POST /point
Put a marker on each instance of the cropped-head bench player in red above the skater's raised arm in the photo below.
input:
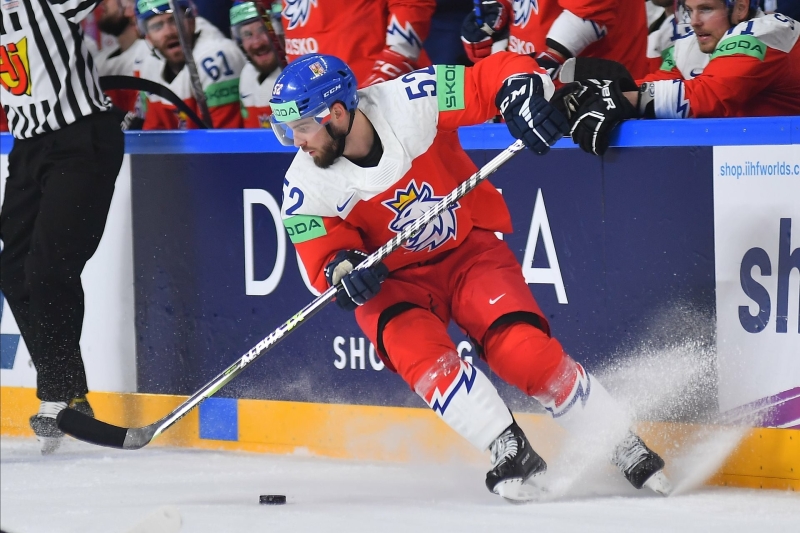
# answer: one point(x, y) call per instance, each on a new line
point(555, 30)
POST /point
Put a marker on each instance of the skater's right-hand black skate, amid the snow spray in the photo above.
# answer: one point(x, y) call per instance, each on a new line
point(641, 466)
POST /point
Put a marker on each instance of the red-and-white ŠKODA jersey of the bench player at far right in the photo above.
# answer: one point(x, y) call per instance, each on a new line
point(754, 71)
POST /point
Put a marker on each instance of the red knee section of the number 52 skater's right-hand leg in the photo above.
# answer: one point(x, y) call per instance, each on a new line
point(523, 355)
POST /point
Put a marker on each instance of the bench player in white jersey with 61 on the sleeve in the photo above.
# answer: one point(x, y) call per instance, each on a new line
point(219, 62)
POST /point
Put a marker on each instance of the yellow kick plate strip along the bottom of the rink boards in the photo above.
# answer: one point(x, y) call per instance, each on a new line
point(764, 458)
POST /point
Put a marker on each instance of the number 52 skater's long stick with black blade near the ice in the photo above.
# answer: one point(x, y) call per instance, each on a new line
point(94, 431)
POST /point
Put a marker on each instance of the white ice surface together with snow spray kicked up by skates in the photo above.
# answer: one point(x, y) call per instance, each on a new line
point(664, 376)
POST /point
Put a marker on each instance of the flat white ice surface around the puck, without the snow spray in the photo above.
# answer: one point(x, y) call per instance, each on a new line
point(87, 489)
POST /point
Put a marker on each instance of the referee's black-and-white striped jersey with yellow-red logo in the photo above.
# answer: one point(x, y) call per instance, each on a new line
point(47, 76)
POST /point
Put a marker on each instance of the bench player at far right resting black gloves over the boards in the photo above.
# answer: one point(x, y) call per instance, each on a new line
point(751, 72)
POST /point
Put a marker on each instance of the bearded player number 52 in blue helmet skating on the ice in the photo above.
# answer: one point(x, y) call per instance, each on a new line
point(372, 162)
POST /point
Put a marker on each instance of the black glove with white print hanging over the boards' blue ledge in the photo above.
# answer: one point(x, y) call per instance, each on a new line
point(594, 108)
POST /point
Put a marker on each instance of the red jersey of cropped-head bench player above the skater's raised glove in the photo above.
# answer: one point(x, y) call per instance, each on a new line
point(621, 23)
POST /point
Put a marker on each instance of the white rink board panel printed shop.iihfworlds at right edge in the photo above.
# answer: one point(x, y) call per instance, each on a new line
point(754, 188)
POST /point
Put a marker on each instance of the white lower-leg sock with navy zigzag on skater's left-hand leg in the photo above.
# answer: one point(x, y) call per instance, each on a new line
point(465, 399)
